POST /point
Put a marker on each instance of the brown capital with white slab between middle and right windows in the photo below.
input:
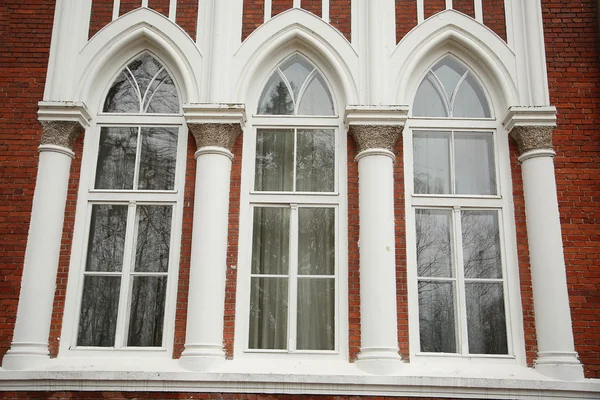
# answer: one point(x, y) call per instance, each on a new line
point(376, 127)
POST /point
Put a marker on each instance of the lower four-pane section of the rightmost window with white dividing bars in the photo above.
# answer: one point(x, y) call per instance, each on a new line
point(478, 313)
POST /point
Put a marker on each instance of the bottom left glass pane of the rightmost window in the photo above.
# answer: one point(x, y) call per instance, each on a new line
point(436, 317)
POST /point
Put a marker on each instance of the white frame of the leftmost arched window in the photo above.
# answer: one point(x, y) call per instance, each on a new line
point(89, 196)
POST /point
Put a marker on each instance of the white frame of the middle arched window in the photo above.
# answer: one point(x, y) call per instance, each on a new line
point(250, 198)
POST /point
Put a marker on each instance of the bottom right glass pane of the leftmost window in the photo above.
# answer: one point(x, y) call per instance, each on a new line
point(147, 315)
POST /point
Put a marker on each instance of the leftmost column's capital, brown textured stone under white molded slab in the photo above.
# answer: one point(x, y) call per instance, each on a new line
point(62, 122)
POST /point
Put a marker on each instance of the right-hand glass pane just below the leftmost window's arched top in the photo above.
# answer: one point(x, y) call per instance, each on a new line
point(158, 158)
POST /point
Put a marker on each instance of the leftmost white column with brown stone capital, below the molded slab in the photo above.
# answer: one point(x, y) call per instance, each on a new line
point(29, 345)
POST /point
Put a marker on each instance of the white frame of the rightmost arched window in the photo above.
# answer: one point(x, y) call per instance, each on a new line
point(502, 202)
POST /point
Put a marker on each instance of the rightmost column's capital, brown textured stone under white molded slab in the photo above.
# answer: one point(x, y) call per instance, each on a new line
point(531, 127)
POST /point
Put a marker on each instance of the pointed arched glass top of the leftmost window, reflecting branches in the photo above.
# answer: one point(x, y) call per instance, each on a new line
point(144, 86)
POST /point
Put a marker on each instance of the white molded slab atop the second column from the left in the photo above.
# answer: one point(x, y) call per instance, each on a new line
point(214, 113)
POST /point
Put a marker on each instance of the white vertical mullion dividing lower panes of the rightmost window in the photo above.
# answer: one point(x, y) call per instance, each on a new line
point(460, 283)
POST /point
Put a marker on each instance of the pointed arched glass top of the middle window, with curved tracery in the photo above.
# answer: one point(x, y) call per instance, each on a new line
point(296, 88)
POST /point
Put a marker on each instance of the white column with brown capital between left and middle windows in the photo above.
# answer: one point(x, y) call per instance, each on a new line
point(206, 299)
